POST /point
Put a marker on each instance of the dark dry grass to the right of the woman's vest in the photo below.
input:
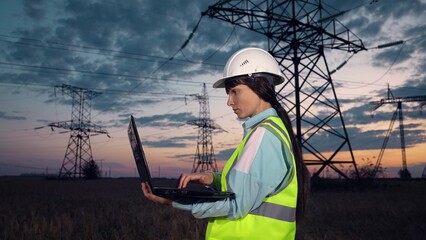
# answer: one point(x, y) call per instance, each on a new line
point(389, 209)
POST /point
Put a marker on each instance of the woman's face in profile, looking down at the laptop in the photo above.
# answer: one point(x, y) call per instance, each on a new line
point(244, 102)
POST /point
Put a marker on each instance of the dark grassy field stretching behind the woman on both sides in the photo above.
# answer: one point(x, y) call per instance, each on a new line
point(34, 208)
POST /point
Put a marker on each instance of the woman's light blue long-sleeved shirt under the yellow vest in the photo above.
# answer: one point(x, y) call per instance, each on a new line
point(260, 171)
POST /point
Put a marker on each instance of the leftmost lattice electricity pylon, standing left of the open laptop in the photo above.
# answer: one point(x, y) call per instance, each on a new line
point(78, 150)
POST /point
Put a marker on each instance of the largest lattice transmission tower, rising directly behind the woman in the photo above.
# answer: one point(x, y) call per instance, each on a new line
point(298, 32)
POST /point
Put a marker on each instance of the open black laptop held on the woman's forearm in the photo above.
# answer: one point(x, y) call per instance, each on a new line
point(191, 193)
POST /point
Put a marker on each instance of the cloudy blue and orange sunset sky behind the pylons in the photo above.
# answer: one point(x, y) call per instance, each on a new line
point(145, 59)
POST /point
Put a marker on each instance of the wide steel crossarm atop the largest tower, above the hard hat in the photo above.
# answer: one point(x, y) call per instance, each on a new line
point(281, 20)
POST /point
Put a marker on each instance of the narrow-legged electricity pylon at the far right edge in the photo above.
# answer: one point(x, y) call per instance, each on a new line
point(404, 173)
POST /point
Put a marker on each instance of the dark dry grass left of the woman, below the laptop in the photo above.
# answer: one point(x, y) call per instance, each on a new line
point(33, 208)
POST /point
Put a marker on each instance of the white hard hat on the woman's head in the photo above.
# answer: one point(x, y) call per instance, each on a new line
point(248, 61)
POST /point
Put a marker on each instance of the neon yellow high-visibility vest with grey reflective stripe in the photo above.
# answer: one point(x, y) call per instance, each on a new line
point(275, 218)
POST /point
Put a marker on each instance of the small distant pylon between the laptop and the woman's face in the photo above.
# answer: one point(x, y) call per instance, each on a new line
point(204, 159)
